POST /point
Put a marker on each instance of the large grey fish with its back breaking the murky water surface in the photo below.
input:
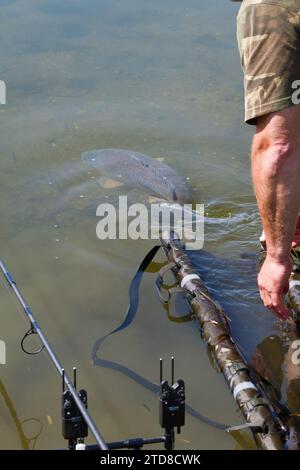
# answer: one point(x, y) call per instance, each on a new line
point(140, 171)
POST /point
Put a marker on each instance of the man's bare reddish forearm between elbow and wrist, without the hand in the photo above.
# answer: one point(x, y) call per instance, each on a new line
point(276, 178)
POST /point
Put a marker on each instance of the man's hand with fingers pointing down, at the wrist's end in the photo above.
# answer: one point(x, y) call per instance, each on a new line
point(273, 283)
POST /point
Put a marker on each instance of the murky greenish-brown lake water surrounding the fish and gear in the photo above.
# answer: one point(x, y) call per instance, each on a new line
point(162, 78)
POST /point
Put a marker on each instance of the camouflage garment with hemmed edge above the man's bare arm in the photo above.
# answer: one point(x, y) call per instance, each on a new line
point(268, 34)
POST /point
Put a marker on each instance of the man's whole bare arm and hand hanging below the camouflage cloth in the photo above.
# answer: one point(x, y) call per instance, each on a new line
point(276, 178)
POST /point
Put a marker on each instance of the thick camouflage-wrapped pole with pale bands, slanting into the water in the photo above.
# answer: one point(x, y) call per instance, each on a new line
point(215, 330)
